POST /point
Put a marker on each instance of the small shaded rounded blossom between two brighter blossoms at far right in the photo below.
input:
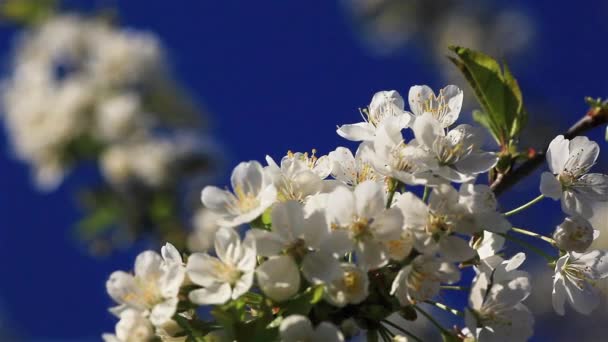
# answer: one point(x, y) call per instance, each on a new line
point(575, 234)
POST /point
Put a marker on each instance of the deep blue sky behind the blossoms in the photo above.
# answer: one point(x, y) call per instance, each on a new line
point(276, 75)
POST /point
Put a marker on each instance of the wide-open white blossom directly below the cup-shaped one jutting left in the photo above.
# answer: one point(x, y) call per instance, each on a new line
point(229, 275)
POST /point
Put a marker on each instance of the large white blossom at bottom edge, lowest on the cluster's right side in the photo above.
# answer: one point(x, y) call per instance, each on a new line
point(496, 312)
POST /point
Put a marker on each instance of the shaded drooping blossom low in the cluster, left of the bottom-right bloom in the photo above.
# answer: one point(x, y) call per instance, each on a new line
point(421, 279)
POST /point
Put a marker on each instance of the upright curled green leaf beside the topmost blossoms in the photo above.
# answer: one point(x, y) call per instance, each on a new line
point(497, 91)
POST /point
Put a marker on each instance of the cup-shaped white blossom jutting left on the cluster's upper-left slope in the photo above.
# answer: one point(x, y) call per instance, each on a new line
point(253, 194)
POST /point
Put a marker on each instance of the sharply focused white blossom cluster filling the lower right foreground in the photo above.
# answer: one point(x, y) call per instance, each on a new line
point(377, 232)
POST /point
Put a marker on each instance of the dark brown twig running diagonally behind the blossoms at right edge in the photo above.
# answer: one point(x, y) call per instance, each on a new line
point(595, 117)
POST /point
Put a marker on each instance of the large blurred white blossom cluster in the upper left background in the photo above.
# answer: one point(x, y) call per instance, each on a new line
point(80, 88)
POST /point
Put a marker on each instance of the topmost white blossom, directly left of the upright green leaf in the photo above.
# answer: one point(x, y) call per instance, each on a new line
point(445, 107)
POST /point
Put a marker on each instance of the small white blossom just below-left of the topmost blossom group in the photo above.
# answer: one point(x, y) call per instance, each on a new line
point(351, 170)
